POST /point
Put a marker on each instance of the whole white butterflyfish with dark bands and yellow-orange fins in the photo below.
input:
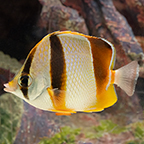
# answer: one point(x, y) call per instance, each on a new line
point(69, 72)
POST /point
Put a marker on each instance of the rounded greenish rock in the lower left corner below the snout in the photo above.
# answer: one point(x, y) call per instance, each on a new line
point(11, 109)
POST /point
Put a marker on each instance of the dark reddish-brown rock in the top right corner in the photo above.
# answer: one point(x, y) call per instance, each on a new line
point(133, 12)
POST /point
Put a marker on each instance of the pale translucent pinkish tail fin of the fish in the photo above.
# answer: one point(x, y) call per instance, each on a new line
point(126, 77)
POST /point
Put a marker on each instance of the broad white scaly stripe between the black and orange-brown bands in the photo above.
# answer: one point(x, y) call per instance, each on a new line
point(79, 94)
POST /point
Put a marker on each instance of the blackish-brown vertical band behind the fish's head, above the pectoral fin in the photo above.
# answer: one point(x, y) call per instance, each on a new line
point(57, 64)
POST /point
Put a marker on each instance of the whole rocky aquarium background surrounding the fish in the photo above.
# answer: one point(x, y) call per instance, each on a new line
point(23, 23)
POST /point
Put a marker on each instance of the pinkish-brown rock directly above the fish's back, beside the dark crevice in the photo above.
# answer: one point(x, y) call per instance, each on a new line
point(55, 16)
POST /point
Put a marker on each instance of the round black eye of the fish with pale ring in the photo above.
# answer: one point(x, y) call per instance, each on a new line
point(25, 80)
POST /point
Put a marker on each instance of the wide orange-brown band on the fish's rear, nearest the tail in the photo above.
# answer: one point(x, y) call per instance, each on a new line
point(101, 54)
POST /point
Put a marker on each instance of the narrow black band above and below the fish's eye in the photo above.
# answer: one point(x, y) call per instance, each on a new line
point(26, 71)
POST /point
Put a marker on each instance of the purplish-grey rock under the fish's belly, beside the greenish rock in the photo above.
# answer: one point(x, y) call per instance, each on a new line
point(35, 124)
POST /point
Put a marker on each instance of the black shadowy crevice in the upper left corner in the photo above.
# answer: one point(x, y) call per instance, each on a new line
point(18, 21)
